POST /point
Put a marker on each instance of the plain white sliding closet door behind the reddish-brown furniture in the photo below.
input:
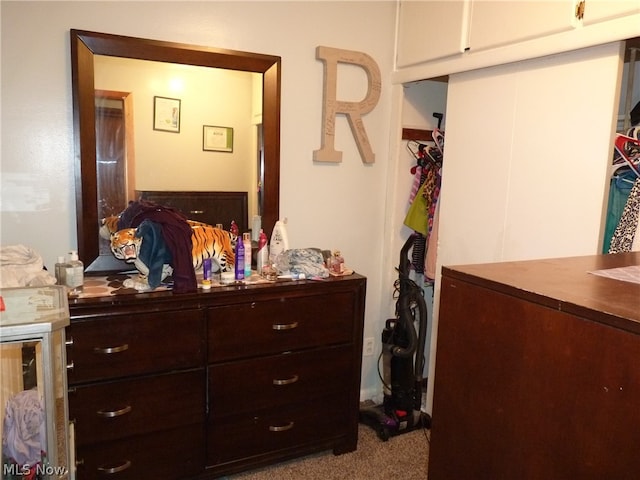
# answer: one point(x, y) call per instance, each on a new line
point(526, 162)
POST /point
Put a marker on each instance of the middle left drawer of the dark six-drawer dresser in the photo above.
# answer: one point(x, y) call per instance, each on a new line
point(113, 410)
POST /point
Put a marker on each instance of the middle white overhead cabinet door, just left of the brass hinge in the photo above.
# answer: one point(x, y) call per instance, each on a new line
point(497, 23)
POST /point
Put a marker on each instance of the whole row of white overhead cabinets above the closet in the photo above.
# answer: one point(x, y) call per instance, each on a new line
point(433, 33)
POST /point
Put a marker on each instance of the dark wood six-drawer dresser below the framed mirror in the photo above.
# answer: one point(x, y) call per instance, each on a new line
point(202, 385)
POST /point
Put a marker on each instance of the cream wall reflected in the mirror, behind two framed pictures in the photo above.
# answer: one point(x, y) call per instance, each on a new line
point(208, 96)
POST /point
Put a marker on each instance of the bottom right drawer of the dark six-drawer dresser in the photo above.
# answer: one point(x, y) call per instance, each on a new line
point(248, 435)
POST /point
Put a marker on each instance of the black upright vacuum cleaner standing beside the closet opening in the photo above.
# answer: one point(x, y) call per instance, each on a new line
point(403, 342)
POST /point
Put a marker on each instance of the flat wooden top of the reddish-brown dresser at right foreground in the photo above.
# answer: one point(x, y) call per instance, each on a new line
point(564, 284)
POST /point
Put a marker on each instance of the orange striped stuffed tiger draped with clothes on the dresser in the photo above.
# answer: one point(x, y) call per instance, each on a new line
point(153, 264)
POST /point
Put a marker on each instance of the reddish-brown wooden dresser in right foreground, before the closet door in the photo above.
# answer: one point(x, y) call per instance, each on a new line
point(537, 372)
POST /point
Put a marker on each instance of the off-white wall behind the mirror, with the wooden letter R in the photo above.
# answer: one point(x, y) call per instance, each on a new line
point(335, 206)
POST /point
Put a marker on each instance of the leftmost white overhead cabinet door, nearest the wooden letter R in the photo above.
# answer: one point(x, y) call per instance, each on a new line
point(430, 30)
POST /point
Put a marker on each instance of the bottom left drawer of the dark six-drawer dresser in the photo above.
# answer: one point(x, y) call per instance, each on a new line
point(177, 453)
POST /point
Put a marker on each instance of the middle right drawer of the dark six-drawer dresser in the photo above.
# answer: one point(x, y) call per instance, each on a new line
point(278, 380)
